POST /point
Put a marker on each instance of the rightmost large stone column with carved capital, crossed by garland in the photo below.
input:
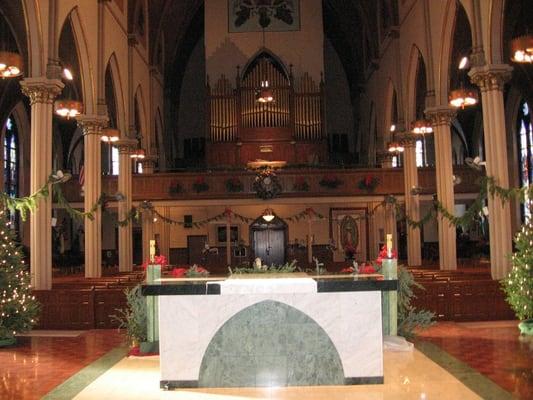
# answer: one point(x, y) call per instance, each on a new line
point(491, 80)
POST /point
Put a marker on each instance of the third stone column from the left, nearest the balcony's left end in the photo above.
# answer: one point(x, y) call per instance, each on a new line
point(125, 248)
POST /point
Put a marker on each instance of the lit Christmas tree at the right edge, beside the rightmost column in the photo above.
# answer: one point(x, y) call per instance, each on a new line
point(518, 285)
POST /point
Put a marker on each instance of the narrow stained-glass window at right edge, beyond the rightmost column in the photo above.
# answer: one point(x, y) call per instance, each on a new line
point(525, 150)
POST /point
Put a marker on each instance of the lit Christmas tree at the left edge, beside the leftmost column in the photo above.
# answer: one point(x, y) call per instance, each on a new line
point(18, 307)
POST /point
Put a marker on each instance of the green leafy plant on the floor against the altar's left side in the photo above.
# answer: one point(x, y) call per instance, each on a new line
point(134, 317)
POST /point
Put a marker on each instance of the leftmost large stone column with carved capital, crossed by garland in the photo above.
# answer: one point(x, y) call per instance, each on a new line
point(42, 92)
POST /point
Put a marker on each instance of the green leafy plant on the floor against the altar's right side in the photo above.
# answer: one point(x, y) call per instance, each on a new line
point(409, 318)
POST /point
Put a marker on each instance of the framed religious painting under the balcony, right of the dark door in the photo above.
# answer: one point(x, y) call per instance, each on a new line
point(349, 233)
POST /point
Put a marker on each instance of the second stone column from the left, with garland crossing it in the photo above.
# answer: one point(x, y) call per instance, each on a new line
point(92, 126)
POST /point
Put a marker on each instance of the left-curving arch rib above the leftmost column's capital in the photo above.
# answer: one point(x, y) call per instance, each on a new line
point(36, 57)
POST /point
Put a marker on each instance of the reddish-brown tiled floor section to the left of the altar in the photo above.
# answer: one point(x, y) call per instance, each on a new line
point(36, 365)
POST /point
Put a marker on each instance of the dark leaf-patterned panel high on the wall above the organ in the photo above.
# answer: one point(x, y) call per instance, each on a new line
point(267, 15)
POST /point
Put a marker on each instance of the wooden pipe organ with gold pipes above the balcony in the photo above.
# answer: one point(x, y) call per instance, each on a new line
point(290, 128)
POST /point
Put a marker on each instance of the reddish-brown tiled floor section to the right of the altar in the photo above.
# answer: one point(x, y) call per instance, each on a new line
point(493, 348)
